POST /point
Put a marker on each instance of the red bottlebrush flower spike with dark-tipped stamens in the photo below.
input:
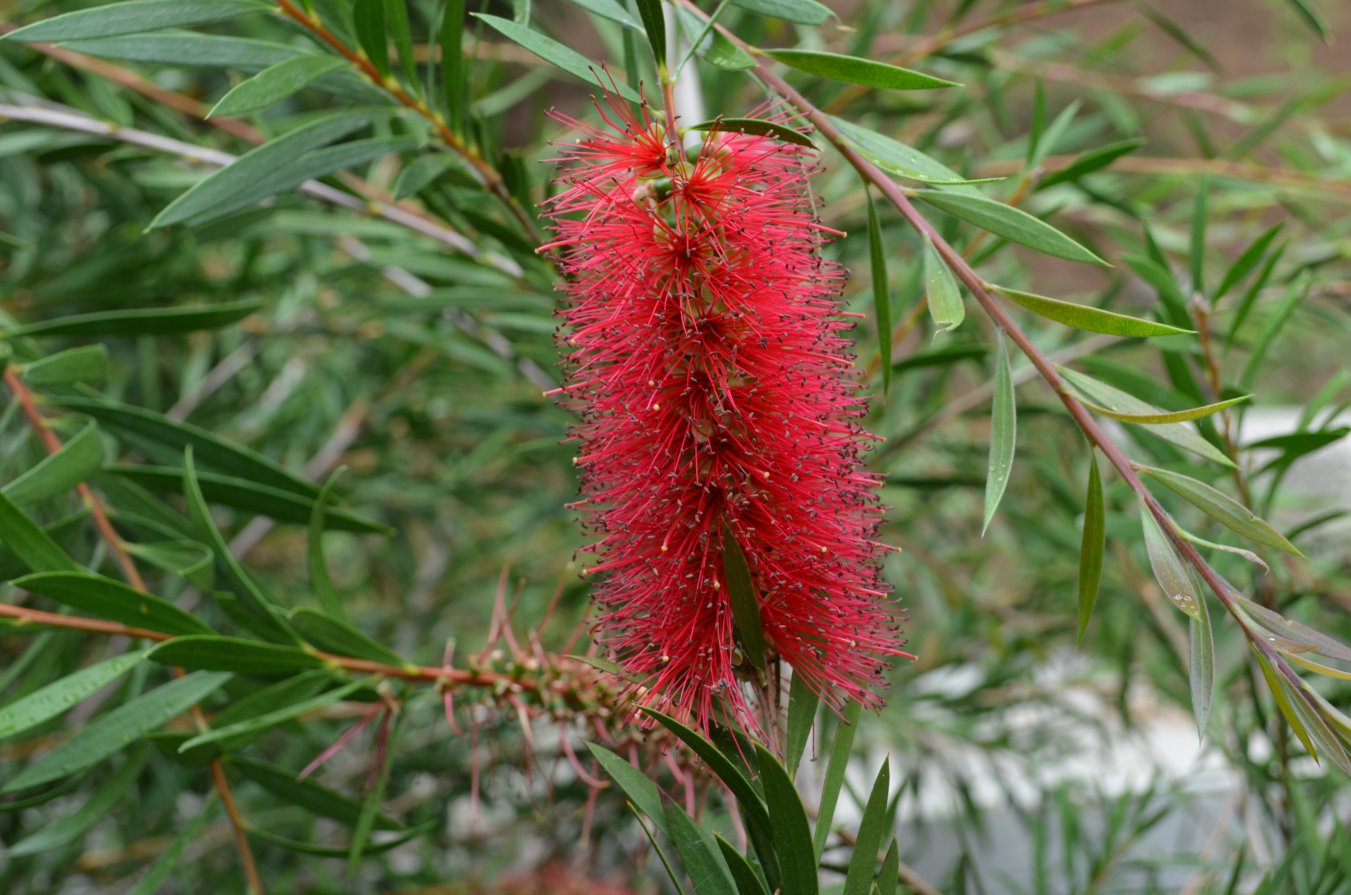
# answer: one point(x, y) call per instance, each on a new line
point(710, 366)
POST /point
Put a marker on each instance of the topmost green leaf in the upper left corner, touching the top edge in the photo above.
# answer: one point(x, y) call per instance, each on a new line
point(136, 17)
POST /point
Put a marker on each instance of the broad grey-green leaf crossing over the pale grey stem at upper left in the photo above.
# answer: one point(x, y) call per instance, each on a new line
point(276, 167)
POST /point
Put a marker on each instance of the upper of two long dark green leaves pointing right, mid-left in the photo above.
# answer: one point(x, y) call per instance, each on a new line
point(149, 428)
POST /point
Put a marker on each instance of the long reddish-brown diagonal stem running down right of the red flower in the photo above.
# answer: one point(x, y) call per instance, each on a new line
point(979, 289)
